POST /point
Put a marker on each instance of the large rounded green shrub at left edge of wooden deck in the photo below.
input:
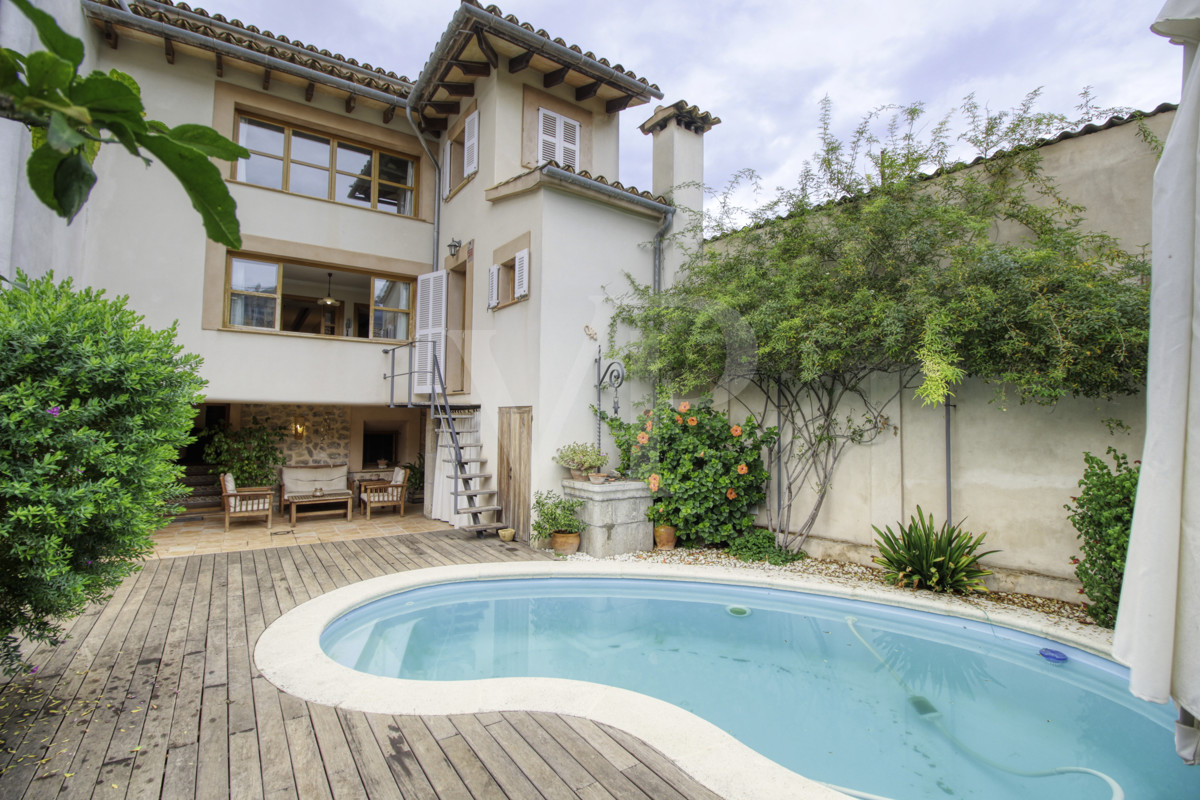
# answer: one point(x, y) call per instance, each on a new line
point(94, 410)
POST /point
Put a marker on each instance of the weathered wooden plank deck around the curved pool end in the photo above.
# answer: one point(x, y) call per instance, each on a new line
point(155, 695)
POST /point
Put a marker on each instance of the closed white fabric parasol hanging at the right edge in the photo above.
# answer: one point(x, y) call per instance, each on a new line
point(1159, 624)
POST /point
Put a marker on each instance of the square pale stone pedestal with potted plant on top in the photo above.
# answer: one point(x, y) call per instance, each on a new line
point(615, 515)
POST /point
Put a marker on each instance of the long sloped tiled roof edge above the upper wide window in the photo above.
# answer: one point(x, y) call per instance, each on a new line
point(293, 51)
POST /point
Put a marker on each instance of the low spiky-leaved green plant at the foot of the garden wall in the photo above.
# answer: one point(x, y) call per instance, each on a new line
point(925, 557)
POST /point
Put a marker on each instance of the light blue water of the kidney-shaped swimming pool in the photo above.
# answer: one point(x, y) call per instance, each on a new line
point(885, 701)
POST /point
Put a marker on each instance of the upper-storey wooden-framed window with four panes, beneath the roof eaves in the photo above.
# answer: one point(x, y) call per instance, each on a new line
point(322, 166)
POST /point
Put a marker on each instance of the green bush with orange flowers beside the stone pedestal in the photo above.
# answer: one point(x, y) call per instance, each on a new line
point(706, 474)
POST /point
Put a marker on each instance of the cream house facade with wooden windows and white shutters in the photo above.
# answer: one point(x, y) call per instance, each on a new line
point(463, 215)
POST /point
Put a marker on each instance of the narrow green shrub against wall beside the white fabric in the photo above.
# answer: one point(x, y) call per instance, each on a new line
point(1103, 514)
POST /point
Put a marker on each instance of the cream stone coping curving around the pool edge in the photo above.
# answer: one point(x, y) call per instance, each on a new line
point(289, 654)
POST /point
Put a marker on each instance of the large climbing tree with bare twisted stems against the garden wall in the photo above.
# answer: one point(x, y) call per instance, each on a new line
point(872, 279)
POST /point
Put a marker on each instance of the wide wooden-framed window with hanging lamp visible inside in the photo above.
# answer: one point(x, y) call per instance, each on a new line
point(308, 299)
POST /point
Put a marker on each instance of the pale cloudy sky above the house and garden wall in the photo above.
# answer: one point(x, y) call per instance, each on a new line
point(764, 65)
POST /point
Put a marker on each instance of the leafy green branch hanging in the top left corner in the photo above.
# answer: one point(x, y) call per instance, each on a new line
point(73, 116)
